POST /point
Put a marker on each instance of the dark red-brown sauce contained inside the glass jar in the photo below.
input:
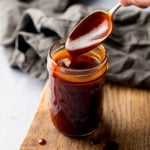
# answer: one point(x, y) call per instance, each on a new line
point(76, 107)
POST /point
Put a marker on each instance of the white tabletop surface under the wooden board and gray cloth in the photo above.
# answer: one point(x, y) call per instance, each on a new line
point(19, 96)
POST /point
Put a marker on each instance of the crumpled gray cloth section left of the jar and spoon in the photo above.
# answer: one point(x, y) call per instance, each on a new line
point(30, 27)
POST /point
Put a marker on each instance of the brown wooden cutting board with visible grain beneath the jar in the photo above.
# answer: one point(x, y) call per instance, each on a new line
point(126, 121)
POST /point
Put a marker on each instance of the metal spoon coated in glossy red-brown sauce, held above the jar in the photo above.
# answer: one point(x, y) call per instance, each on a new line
point(91, 31)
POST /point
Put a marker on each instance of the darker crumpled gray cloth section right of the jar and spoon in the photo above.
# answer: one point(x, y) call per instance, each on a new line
point(129, 49)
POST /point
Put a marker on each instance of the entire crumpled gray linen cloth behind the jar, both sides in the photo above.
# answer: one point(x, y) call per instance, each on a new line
point(31, 26)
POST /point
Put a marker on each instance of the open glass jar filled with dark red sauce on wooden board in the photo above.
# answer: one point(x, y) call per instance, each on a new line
point(76, 88)
